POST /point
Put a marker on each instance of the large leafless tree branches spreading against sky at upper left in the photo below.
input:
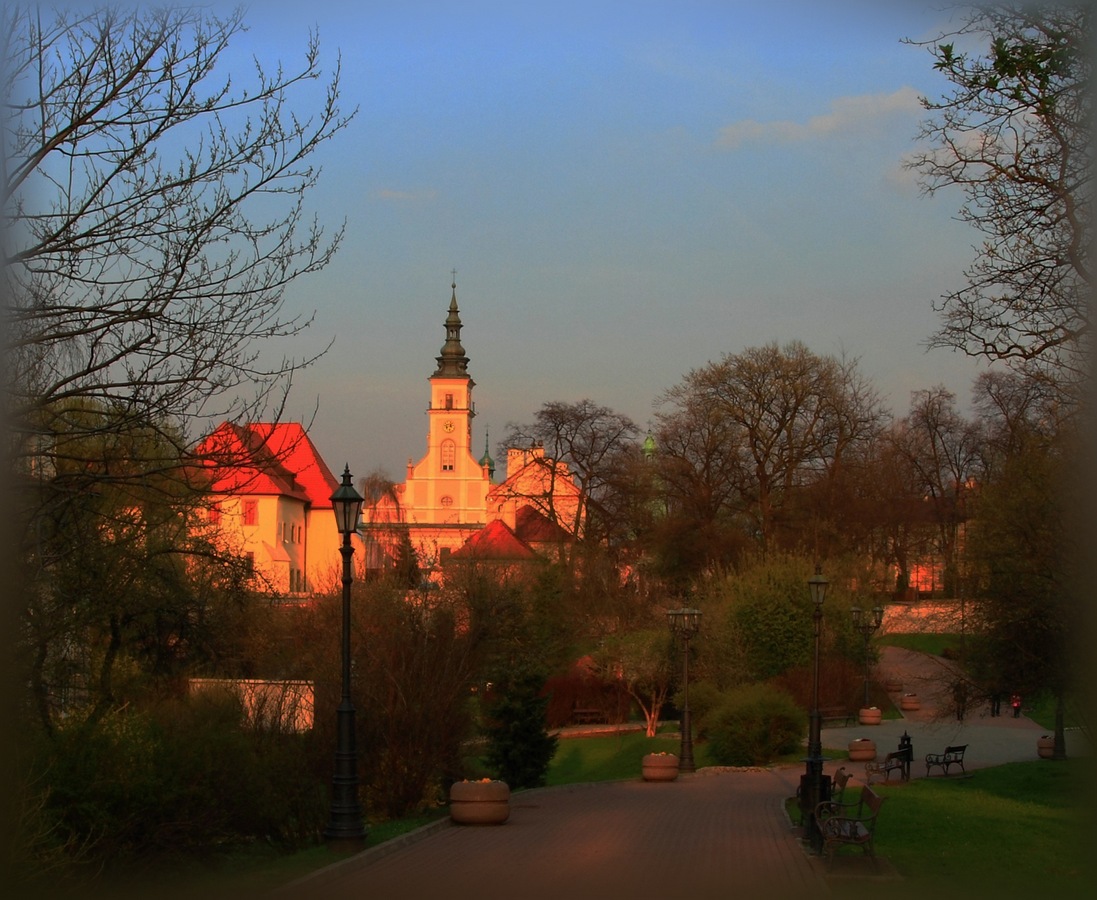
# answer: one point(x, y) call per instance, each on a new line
point(155, 213)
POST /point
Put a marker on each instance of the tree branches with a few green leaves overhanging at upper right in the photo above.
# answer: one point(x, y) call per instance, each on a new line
point(1015, 136)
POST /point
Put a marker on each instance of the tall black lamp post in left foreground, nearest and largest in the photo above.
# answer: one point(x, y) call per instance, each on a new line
point(346, 827)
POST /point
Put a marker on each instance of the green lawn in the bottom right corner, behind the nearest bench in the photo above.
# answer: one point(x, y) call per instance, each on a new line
point(1019, 830)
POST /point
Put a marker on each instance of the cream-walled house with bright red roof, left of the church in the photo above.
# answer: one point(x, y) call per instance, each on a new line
point(272, 502)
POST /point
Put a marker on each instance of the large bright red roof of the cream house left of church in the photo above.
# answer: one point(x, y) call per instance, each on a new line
point(267, 458)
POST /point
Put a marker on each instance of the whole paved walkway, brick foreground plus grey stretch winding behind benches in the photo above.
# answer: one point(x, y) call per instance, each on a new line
point(693, 838)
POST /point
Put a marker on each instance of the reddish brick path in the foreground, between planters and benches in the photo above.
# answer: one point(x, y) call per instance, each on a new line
point(694, 838)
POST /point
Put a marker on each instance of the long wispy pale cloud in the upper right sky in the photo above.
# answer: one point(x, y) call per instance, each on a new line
point(849, 115)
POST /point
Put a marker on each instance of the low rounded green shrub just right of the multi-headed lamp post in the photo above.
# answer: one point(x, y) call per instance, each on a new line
point(754, 725)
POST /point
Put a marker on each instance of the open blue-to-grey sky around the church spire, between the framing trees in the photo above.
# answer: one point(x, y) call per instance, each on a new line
point(627, 192)
